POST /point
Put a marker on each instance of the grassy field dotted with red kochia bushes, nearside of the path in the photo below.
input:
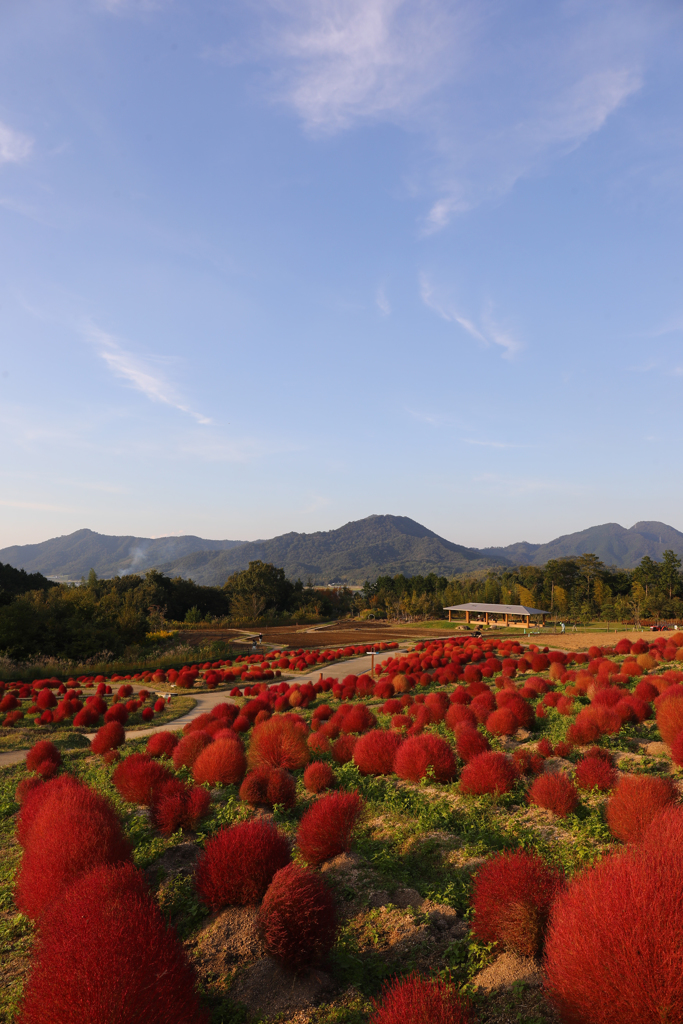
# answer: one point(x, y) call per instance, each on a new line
point(442, 817)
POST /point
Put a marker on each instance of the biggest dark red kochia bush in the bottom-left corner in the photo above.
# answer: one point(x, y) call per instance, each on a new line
point(109, 916)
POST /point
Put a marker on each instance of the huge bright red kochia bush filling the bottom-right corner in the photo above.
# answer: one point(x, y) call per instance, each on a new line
point(614, 950)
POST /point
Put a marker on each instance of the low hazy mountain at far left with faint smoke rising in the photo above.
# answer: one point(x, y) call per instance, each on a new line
point(73, 557)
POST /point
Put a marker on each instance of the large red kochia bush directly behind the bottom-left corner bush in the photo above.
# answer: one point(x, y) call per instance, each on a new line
point(74, 831)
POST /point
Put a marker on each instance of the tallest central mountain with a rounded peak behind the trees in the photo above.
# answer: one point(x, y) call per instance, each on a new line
point(380, 545)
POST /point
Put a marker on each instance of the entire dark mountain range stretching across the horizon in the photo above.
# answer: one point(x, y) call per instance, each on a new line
point(379, 545)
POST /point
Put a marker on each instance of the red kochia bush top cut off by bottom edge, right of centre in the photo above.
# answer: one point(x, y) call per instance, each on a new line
point(417, 1001)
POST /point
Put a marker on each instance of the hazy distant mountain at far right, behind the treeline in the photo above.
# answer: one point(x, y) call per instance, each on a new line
point(612, 543)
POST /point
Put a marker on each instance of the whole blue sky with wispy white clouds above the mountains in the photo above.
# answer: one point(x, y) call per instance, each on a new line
point(271, 266)
